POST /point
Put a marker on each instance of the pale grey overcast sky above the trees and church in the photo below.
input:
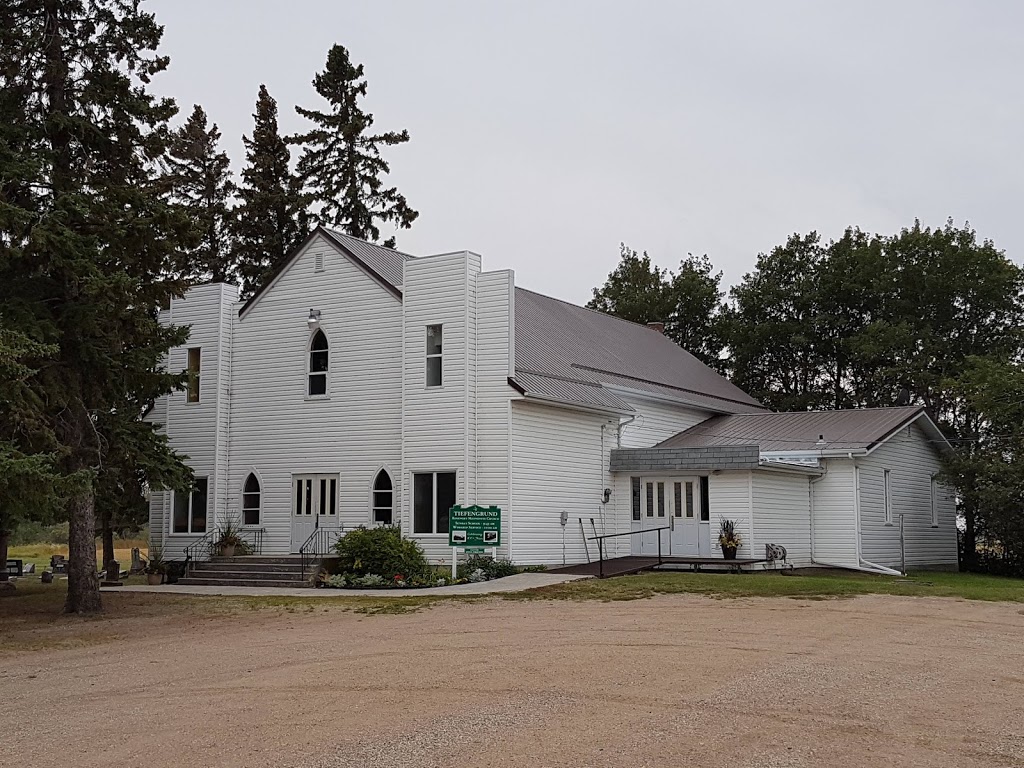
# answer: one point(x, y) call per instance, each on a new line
point(546, 134)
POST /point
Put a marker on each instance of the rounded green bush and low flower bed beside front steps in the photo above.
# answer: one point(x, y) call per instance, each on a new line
point(380, 559)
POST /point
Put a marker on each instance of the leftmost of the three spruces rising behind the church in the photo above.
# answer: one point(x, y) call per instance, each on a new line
point(198, 179)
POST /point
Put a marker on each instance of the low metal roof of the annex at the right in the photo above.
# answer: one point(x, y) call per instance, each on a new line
point(855, 430)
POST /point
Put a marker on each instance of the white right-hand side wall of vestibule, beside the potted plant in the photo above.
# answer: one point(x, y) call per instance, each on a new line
point(783, 515)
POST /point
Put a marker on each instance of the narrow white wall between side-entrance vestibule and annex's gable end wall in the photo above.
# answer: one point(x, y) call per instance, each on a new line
point(834, 524)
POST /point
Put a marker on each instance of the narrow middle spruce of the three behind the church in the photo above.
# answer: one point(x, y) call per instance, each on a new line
point(272, 216)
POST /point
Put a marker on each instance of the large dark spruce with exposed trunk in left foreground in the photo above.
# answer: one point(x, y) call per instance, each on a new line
point(87, 239)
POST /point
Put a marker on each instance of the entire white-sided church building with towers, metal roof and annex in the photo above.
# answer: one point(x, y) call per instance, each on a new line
point(364, 387)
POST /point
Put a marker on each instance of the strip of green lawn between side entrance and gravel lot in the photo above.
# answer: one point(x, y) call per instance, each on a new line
point(810, 584)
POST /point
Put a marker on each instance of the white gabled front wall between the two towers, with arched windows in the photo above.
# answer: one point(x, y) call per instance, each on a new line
point(277, 432)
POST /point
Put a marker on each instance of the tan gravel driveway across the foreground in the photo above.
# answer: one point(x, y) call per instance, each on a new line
point(671, 681)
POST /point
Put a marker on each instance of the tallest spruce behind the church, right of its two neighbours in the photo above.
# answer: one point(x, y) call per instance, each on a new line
point(342, 166)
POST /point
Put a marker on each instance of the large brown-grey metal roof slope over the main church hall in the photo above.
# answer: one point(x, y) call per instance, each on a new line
point(572, 344)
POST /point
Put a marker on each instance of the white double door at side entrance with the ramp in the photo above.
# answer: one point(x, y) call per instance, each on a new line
point(670, 517)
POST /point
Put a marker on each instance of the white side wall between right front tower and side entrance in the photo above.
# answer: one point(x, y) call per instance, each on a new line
point(559, 464)
